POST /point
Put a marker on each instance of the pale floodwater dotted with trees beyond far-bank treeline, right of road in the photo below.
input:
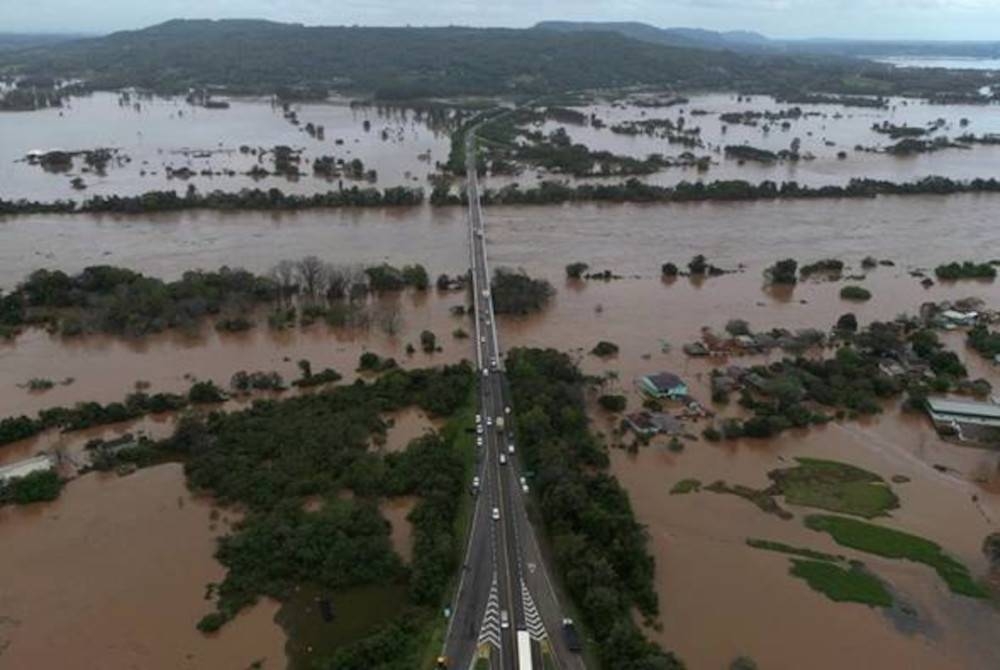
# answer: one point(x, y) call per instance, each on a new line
point(823, 131)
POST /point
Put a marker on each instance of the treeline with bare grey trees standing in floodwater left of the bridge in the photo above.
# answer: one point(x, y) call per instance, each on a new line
point(119, 301)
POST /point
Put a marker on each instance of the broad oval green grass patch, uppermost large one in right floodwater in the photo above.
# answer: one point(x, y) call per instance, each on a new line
point(836, 487)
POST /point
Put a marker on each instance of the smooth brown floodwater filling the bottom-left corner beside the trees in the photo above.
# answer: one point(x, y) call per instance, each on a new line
point(131, 556)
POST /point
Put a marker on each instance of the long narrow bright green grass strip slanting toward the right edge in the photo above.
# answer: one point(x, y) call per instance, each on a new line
point(891, 543)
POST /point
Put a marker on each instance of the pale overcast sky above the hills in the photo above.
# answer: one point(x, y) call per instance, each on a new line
point(908, 19)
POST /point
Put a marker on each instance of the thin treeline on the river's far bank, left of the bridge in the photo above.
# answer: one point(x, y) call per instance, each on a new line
point(243, 200)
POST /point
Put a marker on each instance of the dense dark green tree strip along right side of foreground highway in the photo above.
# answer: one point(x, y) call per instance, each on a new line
point(600, 549)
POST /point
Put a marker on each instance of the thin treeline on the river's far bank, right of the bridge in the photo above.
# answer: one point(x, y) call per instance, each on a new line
point(634, 190)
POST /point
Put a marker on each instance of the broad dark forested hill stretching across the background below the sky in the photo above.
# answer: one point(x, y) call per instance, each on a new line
point(262, 57)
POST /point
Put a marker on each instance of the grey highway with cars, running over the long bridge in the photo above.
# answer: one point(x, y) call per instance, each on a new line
point(505, 590)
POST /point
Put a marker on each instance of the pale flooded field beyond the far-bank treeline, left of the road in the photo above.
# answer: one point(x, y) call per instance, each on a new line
point(164, 131)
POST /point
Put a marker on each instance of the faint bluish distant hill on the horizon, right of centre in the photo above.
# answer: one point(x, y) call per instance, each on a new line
point(681, 37)
